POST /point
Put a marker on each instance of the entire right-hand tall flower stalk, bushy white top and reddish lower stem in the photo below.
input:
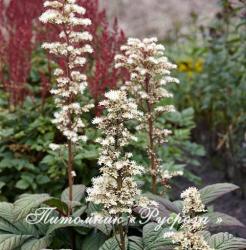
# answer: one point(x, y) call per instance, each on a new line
point(149, 72)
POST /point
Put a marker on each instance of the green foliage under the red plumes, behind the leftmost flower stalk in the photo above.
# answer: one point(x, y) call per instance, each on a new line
point(26, 161)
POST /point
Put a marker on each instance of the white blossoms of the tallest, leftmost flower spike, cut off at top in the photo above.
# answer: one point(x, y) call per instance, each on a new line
point(70, 81)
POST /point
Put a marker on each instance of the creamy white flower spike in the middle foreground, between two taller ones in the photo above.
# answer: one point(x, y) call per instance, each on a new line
point(116, 188)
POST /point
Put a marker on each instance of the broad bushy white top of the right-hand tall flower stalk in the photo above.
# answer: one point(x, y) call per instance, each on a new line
point(149, 70)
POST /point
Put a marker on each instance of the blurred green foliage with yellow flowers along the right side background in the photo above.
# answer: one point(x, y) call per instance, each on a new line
point(211, 65)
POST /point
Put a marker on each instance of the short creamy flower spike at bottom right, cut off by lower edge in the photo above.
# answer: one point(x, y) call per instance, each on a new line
point(190, 236)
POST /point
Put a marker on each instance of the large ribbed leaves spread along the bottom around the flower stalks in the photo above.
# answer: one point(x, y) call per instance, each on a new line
point(15, 232)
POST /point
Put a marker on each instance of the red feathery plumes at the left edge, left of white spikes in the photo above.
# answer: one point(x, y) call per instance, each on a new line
point(17, 20)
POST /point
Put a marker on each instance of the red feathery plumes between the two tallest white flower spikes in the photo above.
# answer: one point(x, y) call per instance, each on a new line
point(106, 43)
